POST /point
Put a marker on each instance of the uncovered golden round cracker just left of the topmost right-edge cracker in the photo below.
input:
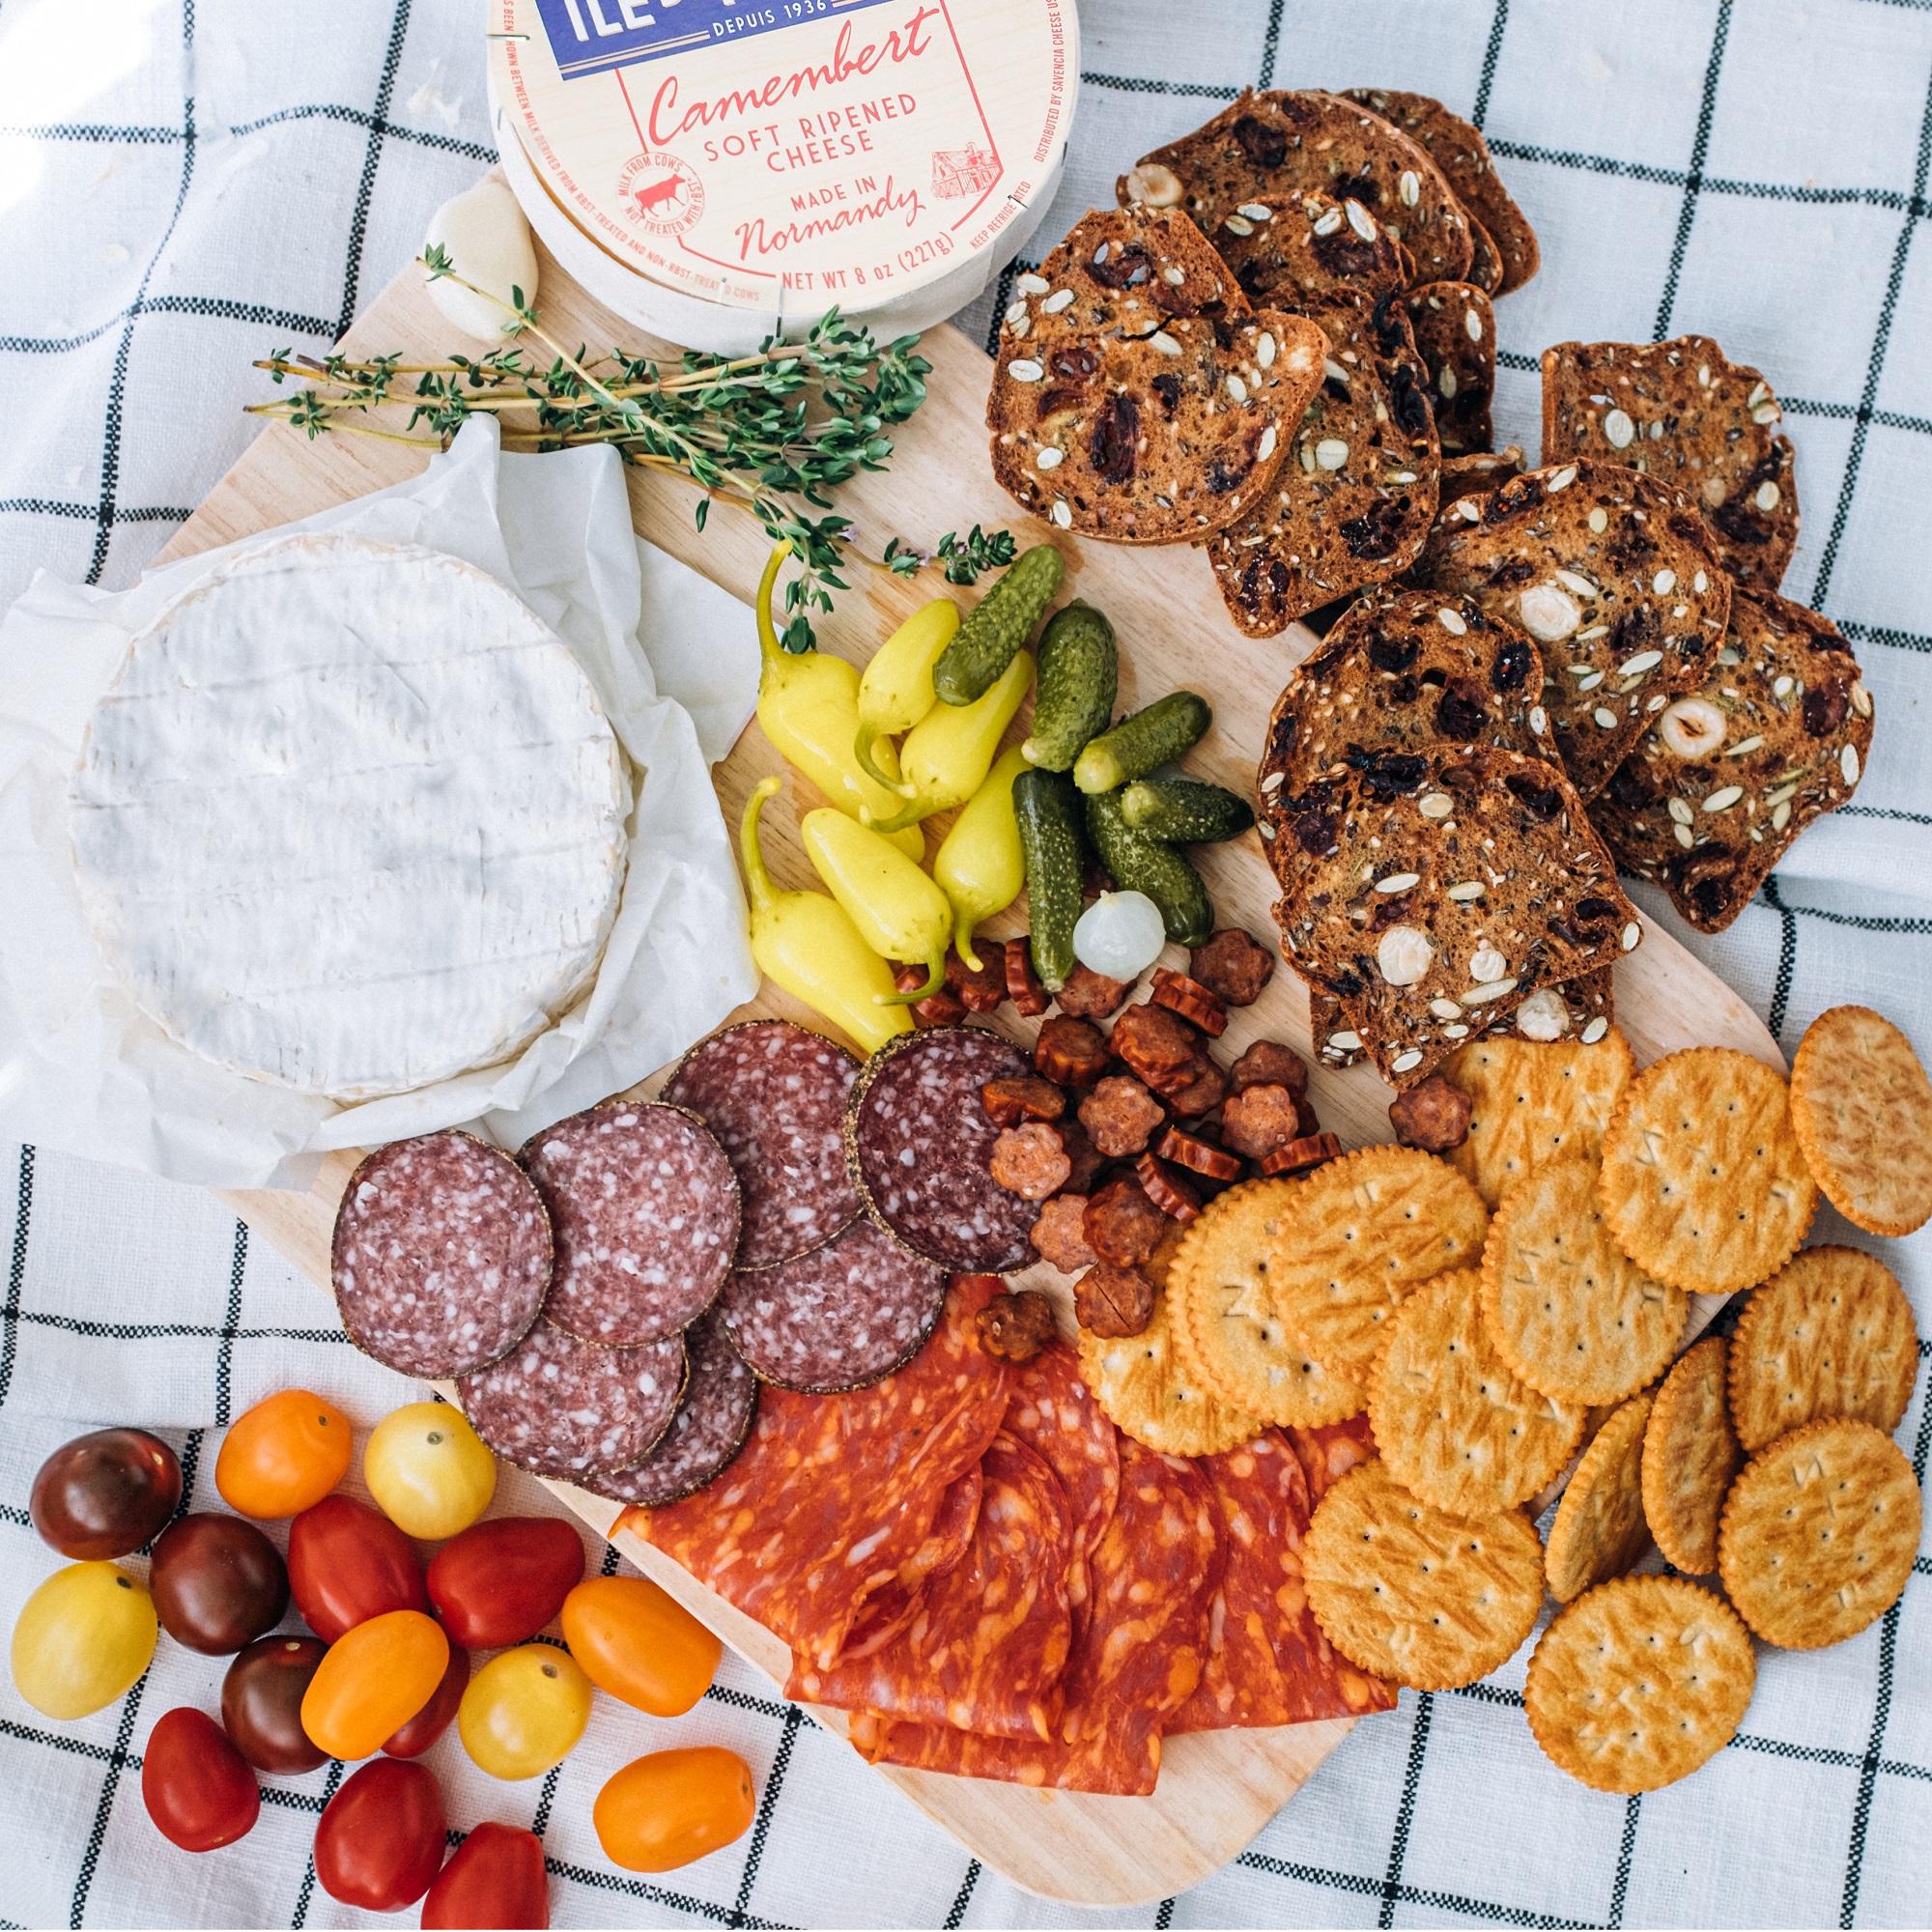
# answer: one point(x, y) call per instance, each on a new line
point(1703, 1179)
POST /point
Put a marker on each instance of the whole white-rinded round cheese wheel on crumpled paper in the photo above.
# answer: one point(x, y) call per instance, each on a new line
point(351, 820)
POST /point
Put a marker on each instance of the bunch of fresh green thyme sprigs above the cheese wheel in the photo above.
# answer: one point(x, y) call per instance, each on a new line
point(774, 434)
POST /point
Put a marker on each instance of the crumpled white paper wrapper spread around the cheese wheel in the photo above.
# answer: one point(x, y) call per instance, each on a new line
point(673, 660)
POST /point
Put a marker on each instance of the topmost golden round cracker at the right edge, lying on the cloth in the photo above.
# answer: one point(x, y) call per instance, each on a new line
point(1863, 1114)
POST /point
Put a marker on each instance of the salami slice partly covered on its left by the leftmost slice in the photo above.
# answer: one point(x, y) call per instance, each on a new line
point(646, 1216)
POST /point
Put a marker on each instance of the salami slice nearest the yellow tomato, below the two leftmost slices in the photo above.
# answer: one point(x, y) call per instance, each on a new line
point(565, 1407)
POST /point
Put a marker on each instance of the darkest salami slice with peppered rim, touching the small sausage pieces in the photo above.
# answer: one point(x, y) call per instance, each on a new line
point(921, 1143)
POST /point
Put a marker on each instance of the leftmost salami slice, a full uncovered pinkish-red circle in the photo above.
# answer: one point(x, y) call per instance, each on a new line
point(441, 1257)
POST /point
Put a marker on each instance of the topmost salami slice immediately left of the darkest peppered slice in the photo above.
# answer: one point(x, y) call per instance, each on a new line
point(776, 1096)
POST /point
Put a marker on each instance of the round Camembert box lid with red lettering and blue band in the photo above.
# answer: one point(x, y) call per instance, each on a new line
point(791, 156)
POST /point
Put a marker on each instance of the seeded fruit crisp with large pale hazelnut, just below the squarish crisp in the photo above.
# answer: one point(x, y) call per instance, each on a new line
point(1616, 581)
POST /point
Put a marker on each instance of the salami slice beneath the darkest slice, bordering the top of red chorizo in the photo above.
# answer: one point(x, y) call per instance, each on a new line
point(838, 1319)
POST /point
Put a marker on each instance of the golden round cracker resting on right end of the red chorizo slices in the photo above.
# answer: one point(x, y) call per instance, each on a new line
point(1411, 1593)
